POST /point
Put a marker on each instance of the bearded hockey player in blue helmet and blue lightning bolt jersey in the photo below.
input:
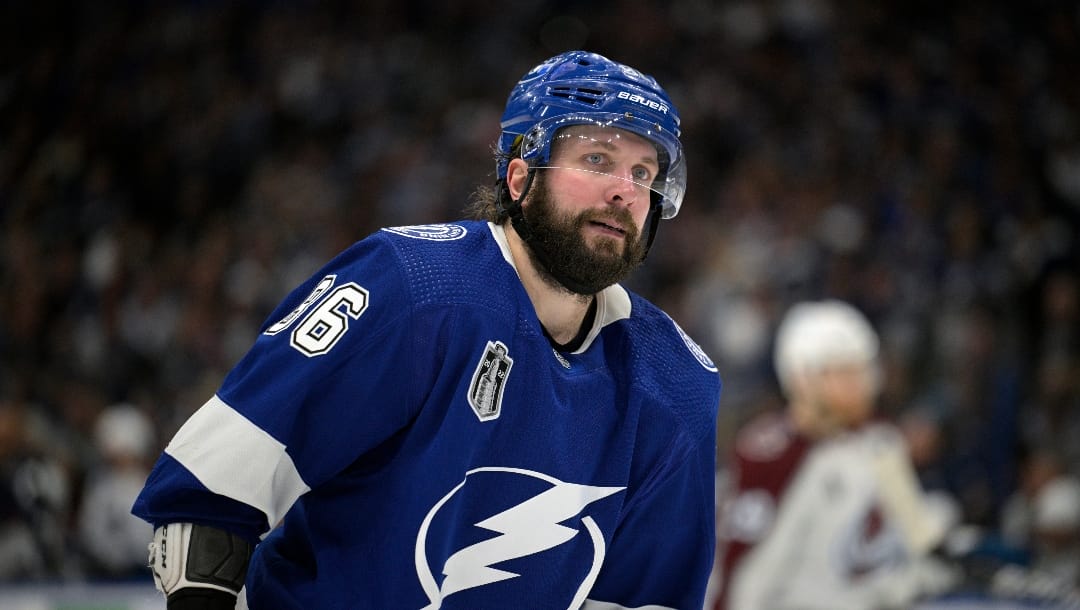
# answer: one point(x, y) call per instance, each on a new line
point(471, 415)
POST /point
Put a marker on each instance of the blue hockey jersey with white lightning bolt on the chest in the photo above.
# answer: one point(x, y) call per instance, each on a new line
point(403, 436)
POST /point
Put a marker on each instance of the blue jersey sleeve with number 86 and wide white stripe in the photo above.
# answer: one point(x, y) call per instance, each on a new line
point(332, 375)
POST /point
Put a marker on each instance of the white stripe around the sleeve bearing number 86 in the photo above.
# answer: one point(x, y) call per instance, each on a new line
point(237, 459)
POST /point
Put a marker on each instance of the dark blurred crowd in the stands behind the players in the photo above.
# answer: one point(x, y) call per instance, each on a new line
point(169, 171)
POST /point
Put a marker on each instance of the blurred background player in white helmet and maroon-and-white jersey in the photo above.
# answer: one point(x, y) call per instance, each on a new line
point(825, 510)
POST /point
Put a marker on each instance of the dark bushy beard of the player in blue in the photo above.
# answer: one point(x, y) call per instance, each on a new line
point(563, 256)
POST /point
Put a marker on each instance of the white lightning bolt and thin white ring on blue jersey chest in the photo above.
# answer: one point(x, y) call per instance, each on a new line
point(528, 528)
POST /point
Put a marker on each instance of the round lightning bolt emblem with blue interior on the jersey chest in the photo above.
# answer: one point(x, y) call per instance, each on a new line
point(543, 518)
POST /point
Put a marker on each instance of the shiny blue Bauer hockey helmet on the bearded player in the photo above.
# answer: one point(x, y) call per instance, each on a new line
point(580, 88)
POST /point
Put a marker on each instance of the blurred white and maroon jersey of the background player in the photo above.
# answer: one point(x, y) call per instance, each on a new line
point(833, 525)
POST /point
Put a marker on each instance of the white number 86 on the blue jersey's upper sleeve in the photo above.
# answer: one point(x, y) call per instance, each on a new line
point(327, 324)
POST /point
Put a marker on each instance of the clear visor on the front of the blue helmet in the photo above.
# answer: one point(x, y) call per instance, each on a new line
point(610, 146)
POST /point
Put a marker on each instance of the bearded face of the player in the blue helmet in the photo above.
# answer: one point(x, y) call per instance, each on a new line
point(589, 207)
